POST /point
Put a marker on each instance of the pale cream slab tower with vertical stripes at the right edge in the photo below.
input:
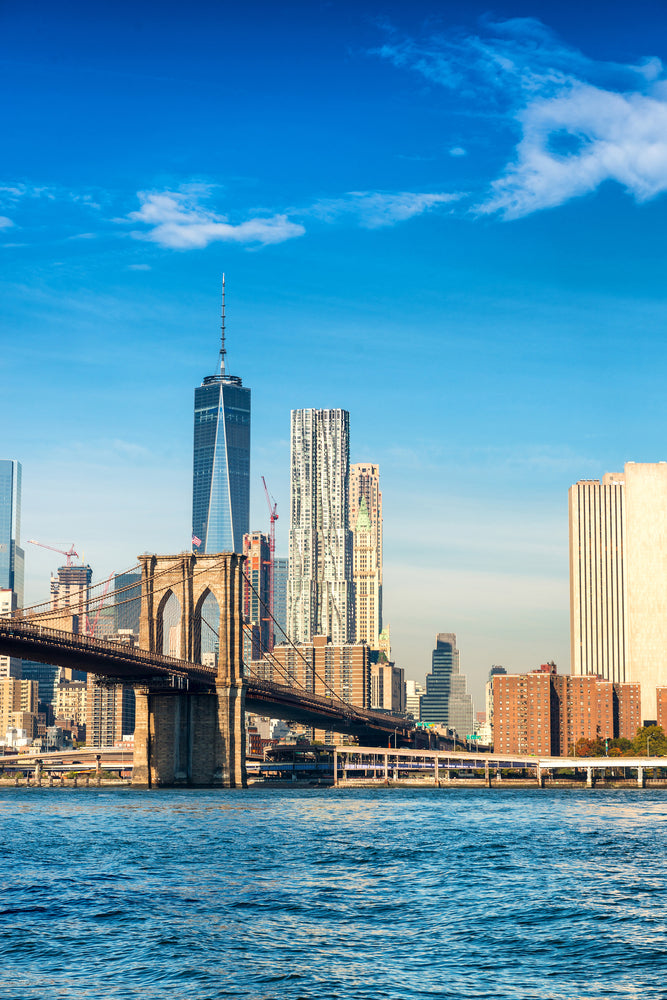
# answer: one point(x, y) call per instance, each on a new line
point(618, 578)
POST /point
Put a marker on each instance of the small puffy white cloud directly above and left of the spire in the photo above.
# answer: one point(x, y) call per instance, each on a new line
point(178, 221)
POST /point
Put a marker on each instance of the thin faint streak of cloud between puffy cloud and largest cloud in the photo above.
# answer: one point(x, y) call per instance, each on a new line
point(374, 209)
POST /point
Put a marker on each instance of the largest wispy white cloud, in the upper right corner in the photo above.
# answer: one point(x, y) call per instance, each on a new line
point(581, 121)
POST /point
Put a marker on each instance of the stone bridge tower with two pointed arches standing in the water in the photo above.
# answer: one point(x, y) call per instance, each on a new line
point(190, 737)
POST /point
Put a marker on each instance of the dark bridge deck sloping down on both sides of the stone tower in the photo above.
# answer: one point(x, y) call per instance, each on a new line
point(122, 663)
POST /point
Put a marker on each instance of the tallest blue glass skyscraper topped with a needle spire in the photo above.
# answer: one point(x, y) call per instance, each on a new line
point(221, 462)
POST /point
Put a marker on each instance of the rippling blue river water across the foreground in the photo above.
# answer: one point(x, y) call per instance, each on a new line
point(361, 894)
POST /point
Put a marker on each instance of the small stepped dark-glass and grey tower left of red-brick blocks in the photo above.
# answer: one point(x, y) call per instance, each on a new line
point(446, 701)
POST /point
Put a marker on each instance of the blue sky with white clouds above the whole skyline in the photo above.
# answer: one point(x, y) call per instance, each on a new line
point(448, 219)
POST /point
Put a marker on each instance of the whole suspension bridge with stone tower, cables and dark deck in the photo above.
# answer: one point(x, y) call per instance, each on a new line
point(190, 716)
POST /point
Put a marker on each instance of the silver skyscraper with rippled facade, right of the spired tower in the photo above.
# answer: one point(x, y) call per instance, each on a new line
point(320, 595)
